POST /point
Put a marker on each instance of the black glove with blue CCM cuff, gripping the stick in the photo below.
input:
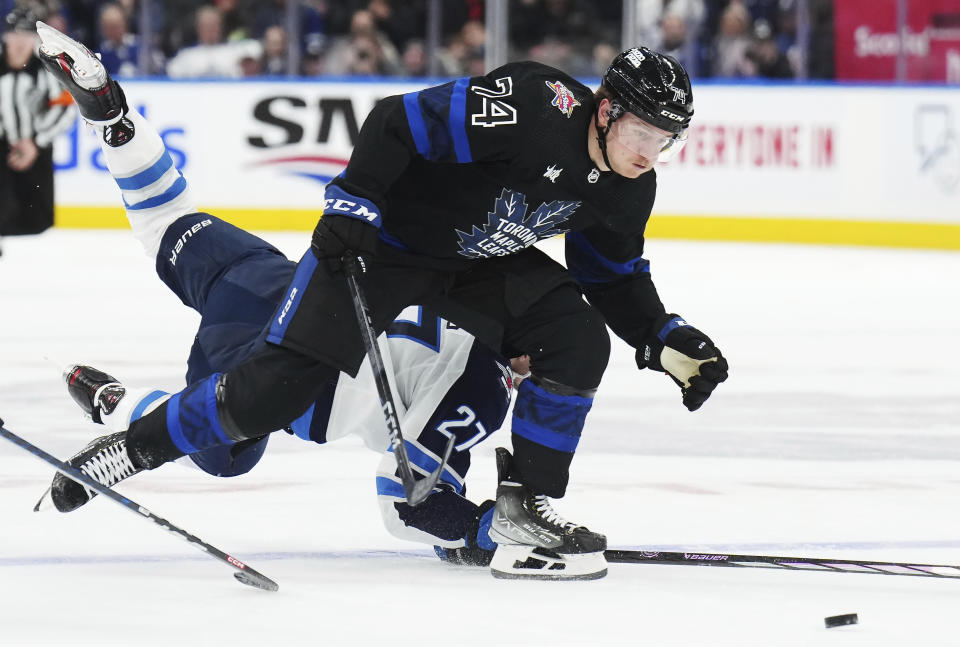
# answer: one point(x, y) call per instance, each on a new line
point(349, 224)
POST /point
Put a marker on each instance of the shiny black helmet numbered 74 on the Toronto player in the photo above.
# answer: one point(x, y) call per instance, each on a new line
point(652, 86)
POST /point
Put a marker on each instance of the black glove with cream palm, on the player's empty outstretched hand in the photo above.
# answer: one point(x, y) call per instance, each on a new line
point(687, 356)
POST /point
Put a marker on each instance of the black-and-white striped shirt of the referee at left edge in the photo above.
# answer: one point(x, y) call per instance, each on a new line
point(32, 104)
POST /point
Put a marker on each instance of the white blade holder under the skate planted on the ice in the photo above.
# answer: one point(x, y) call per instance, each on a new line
point(513, 562)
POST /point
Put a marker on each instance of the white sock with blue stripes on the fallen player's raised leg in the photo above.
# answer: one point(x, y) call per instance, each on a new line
point(154, 192)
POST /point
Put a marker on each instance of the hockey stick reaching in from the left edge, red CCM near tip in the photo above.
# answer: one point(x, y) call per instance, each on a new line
point(244, 573)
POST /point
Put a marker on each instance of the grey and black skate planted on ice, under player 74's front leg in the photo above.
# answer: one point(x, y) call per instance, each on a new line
point(533, 541)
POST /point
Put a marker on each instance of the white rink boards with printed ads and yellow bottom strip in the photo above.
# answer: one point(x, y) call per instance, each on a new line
point(763, 162)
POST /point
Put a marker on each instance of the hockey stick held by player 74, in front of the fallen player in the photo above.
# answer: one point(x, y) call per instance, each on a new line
point(416, 491)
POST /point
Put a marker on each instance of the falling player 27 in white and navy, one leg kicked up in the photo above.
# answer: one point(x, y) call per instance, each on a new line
point(446, 384)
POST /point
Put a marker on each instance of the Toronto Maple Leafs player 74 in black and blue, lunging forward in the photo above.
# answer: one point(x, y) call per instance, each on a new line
point(445, 193)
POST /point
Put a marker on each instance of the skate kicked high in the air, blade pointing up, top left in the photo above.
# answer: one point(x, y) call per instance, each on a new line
point(99, 98)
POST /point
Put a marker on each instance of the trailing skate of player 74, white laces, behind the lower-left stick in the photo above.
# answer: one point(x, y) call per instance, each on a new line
point(104, 460)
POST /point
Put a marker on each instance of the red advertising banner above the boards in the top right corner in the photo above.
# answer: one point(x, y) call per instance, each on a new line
point(868, 42)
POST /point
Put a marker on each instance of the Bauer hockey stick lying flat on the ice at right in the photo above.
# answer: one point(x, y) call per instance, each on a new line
point(780, 562)
